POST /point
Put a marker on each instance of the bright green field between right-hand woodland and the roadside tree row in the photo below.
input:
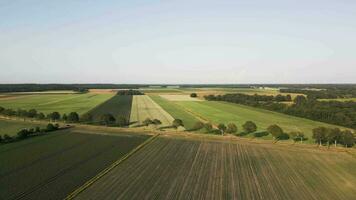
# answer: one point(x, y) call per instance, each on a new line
point(221, 112)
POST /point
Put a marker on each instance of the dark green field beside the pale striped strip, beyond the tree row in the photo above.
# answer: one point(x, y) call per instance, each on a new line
point(117, 105)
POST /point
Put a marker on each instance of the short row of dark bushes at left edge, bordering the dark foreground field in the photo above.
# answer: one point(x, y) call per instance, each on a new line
point(25, 133)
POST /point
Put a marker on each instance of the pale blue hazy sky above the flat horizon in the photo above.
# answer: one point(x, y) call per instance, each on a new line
point(178, 41)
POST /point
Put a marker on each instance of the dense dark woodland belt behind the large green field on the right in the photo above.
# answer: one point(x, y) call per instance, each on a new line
point(333, 112)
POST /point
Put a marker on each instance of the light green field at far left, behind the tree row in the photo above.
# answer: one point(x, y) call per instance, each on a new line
point(63, 103)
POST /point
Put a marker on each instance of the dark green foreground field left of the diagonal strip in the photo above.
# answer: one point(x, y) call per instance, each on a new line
point(52, 166)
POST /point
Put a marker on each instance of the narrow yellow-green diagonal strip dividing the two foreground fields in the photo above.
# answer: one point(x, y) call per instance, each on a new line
point(86, 185)
